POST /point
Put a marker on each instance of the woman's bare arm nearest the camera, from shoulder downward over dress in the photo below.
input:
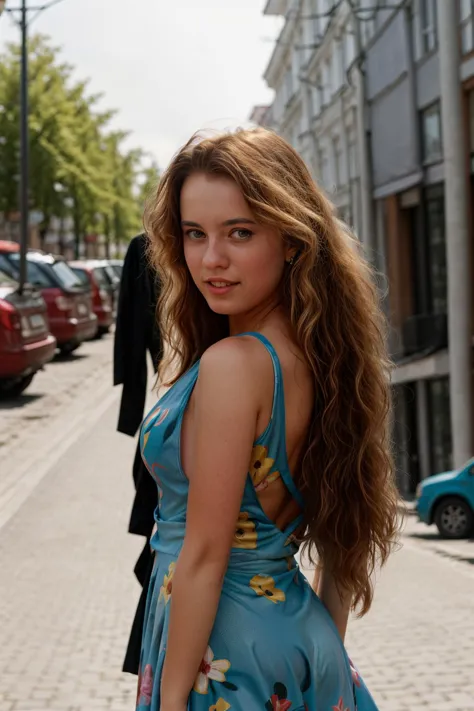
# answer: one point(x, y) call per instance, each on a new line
point(224, 421)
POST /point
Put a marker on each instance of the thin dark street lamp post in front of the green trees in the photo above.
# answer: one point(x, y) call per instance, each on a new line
point(24, 140)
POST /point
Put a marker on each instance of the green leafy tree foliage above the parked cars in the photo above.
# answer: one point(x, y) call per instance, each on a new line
point(78, 164)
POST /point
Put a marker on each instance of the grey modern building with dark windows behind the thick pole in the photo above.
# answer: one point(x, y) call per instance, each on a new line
point(404, 100)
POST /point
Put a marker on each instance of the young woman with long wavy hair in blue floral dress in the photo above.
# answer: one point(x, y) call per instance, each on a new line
point(273, 436)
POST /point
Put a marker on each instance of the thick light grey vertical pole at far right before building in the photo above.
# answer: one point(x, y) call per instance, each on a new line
point(459, 259)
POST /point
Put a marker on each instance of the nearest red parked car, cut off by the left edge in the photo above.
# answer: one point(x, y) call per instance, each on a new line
point(26, 344)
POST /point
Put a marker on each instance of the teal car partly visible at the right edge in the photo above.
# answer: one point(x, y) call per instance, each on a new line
point(447, 500)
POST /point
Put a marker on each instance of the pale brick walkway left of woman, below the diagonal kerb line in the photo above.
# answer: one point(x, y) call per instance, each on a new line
point(67, 589)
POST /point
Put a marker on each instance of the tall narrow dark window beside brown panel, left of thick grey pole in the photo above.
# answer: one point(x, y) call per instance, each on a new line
point(436, 235)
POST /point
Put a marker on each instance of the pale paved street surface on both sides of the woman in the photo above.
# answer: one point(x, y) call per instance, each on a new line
point(67, 590)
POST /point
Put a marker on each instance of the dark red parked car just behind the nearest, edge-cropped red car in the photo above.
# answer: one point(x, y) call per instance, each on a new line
point(69, 303)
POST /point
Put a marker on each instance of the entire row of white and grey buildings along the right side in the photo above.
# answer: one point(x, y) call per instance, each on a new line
point(358, 95)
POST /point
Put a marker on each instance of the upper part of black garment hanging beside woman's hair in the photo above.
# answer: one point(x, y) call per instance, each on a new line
point(136, 334)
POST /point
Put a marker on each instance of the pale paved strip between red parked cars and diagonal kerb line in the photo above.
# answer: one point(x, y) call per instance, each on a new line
point(47, 419)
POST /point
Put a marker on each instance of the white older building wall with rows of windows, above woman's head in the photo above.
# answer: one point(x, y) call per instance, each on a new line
point(315, 103)
